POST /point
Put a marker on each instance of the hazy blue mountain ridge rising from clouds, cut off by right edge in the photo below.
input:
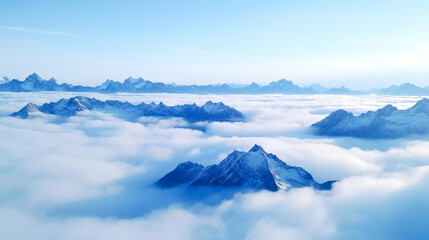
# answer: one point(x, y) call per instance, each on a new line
point(386, 122)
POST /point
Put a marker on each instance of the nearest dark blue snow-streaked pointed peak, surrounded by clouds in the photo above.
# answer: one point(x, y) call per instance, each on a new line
point(255, 169)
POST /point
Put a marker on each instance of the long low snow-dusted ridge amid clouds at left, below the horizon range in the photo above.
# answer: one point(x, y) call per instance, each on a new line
point(191, 112)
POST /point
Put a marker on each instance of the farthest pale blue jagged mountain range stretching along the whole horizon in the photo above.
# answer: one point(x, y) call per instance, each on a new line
point(138, 85)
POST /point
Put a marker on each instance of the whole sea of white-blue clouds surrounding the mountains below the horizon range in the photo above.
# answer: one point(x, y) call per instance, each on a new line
point(91, 176)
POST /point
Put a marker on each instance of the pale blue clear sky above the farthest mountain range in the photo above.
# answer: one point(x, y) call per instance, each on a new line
point(359, 44)
